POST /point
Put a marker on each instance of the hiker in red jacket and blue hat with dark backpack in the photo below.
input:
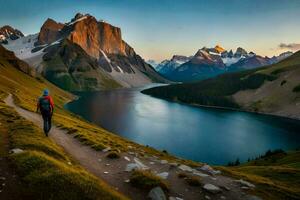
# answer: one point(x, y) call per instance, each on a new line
point(45, 105)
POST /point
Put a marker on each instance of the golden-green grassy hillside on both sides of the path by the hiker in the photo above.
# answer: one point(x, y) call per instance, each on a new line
point(44, 168)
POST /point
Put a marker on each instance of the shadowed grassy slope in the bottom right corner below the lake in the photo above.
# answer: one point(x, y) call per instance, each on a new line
point(276, 176)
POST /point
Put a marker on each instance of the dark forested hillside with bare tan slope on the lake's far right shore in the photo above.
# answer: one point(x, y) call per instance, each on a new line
point(273, 89)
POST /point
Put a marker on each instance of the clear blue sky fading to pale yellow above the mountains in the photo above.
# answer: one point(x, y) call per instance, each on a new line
point(159, 29)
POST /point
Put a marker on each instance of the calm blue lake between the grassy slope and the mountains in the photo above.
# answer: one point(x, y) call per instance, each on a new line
point(207, 135)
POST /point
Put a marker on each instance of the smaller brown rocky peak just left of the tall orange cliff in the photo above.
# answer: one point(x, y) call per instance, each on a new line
point(50, 32)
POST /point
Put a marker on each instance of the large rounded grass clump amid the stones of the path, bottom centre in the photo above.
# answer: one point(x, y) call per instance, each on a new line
point(145, 179)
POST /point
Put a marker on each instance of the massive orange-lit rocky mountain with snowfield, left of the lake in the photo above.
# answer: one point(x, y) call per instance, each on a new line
point(83, 54)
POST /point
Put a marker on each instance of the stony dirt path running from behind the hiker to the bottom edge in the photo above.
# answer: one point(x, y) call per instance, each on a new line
point(116, 172)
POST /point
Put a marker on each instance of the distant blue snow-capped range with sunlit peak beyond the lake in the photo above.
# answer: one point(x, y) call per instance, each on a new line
point(210, 62)
